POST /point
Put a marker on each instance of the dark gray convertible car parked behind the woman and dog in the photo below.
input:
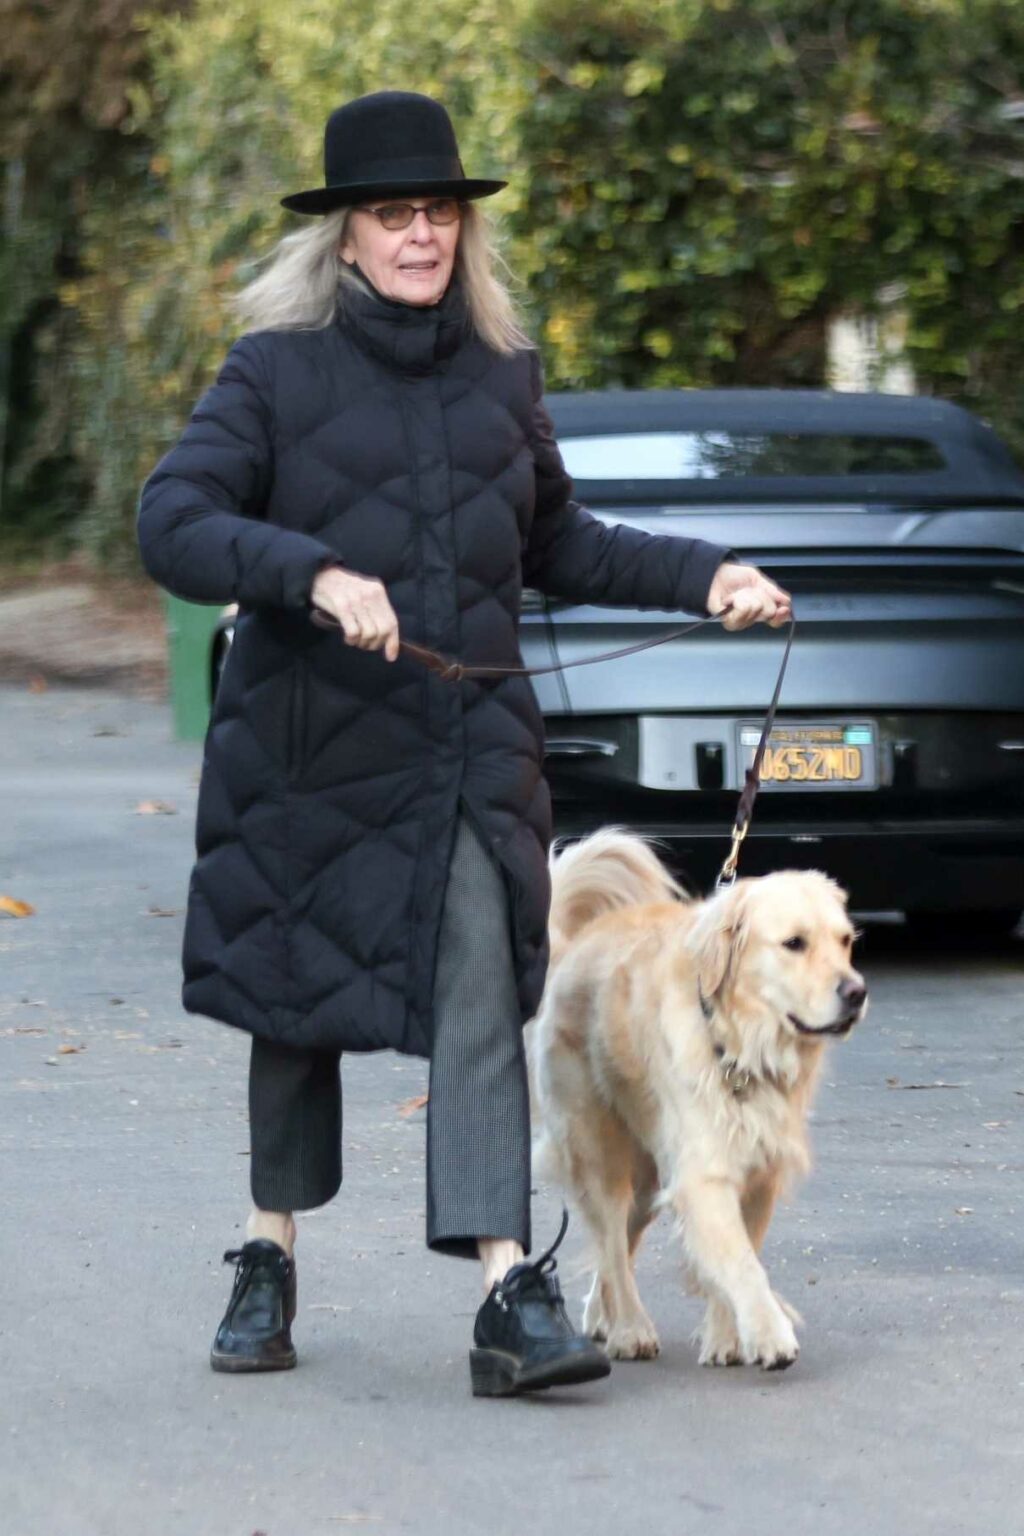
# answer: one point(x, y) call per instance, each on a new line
point(897, 761)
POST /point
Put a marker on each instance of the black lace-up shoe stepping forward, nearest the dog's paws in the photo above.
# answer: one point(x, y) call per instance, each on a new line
point(524, 1339)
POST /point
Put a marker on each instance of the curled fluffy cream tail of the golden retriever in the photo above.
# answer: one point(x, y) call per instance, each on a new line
point(603, 873)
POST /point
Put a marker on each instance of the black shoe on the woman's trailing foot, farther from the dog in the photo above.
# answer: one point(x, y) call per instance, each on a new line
point(256, 1332)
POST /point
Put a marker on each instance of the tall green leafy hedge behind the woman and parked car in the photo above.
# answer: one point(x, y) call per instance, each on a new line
point(698, 190)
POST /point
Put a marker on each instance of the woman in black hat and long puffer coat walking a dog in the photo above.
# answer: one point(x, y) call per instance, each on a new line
point(371, 838)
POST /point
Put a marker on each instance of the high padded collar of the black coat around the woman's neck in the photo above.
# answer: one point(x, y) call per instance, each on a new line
point(411, 339)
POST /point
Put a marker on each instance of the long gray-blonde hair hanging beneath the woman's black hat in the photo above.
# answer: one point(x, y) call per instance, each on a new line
point(305, 282)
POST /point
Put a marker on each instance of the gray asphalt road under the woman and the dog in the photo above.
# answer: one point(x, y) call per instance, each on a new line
point(125, 1176)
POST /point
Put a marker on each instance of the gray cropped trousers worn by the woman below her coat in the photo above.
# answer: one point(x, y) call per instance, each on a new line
point(478, 1114)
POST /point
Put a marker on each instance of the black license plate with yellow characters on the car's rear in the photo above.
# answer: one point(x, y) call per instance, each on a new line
point(814, 755)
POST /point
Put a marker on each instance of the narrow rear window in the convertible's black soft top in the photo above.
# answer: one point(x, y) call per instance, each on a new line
point(718, 455)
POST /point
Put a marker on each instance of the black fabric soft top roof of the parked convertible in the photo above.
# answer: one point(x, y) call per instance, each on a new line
point(979, 468)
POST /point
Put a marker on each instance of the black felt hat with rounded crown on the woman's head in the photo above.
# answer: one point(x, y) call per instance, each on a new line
point(385, 145)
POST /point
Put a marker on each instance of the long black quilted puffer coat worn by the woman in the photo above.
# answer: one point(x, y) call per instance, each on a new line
point(398, 445)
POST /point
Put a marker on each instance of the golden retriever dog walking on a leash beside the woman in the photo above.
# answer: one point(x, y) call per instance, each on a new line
point(673, 1059)
